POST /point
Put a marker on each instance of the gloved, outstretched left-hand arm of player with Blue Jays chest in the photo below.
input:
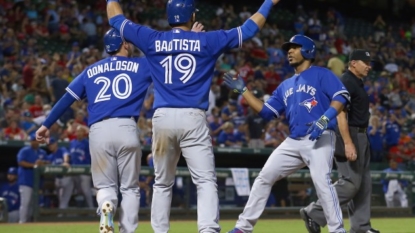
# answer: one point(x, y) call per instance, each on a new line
point(269, 110)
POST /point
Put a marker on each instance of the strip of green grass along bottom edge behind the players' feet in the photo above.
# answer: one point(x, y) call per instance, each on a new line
point(385, 225)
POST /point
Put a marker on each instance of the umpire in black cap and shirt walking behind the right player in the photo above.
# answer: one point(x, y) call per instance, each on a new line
point(352, 154)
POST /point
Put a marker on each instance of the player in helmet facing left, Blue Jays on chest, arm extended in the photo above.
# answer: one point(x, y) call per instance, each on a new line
point(312, 94)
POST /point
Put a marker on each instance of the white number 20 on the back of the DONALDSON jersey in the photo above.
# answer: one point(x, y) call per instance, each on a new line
point(104, 96)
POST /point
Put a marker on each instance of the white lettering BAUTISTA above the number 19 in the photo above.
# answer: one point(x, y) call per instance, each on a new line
point(177, 44)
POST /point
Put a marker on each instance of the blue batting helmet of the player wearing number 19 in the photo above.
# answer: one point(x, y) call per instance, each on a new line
point(180, 11)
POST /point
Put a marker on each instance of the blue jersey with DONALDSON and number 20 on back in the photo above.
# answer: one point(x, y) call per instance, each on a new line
point(114, 87)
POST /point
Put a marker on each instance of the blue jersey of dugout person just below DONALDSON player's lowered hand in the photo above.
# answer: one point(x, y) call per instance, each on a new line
point(30, 155)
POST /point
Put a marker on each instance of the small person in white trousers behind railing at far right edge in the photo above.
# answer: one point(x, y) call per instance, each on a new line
point(395, 189)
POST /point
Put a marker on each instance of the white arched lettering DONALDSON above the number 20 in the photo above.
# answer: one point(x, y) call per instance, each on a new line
point(113, 66)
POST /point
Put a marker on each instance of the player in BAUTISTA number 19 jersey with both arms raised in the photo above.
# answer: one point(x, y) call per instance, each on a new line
point(182, 64)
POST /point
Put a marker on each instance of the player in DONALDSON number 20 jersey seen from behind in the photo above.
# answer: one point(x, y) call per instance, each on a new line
point(115, 88)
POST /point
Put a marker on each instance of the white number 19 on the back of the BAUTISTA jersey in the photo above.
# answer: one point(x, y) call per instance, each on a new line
point(184, 63)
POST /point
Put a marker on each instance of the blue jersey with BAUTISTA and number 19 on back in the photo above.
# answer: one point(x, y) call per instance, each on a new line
point(181, 62)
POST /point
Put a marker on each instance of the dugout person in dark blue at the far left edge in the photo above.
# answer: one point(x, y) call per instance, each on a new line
point(10, 192)
